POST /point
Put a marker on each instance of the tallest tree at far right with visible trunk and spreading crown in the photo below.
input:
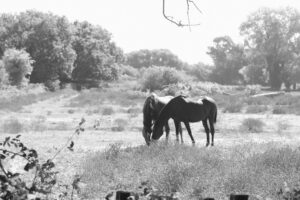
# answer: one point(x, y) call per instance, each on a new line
point(275, 36)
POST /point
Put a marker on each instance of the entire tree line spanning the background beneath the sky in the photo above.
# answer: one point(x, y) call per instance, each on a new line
point(39, 47)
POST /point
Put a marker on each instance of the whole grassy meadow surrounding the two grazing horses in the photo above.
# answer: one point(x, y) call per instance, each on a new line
point(256, 142)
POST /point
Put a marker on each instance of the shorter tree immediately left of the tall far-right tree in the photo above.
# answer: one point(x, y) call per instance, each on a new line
point(228, 59)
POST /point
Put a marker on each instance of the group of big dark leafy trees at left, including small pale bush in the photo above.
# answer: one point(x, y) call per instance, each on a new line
point(46, 48)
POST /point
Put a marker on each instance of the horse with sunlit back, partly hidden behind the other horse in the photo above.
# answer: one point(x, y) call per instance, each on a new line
point(152, 107)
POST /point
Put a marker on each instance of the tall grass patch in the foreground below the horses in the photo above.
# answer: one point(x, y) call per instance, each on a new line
point(191, 171)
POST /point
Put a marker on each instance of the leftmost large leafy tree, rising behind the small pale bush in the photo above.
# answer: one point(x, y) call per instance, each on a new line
point(46, 37)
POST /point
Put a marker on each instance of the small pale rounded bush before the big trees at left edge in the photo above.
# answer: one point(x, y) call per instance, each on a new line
point(18, 64)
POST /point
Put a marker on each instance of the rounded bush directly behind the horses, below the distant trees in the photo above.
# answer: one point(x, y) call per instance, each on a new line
point(156, 78)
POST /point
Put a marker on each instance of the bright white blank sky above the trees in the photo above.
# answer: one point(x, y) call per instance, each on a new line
point(139, 24)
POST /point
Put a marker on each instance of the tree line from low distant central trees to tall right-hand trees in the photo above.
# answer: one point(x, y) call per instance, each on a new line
point(270, 54)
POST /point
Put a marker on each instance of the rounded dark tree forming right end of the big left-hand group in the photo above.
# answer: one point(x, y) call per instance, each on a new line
point(98, 58)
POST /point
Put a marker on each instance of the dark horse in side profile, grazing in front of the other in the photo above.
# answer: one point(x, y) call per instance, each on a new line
point(183, 110)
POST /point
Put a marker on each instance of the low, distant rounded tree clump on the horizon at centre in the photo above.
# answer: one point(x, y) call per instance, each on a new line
point(158, 57)
